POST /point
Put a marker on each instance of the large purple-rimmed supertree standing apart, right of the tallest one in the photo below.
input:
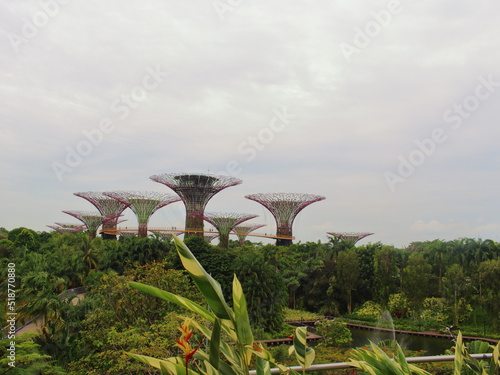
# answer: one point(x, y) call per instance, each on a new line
point(284, 207)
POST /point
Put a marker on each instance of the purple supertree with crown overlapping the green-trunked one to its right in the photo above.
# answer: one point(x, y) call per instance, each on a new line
point(108, 207)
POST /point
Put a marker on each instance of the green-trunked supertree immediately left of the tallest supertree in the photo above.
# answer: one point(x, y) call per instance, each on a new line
point(143, 204)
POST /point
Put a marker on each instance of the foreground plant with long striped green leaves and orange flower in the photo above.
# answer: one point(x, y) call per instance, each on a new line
point(231, 342)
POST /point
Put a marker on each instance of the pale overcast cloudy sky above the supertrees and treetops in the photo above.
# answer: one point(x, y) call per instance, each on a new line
point(388, 109)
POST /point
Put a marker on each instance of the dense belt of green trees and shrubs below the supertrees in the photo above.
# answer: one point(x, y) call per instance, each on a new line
point(427, 285)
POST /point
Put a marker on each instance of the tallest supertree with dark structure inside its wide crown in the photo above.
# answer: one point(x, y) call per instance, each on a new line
point(195, 190)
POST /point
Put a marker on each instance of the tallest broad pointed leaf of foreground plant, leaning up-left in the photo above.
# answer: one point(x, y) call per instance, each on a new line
point(207, 285)
